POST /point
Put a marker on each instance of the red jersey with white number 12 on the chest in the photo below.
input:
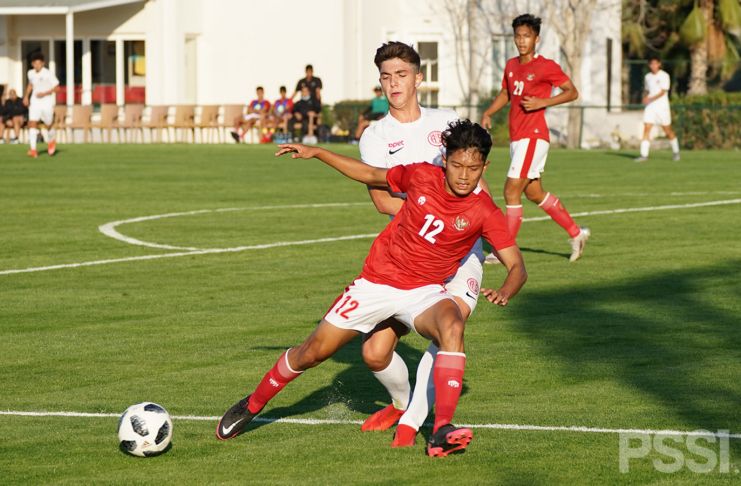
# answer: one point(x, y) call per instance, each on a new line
point(433, 231)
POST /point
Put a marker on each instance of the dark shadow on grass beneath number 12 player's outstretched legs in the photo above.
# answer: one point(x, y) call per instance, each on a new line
point(353, 389)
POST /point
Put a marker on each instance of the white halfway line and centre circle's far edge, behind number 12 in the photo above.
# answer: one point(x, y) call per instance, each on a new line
point(339, 238)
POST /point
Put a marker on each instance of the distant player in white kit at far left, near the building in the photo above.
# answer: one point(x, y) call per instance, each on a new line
point(40, 99)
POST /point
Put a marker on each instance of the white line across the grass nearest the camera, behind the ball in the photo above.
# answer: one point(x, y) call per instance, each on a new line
point(533, 428)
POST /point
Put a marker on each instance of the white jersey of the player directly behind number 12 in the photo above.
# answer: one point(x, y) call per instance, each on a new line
point(388, 142)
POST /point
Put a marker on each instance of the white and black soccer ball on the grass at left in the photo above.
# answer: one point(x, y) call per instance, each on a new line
point(145, 429)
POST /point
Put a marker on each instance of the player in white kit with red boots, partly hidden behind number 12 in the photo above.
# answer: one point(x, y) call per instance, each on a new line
point(408, 134)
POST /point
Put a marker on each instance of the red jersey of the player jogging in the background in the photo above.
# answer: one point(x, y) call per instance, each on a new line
point(536, 78)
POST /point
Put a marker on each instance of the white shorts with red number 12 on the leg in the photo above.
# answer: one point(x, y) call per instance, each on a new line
point(364, 304)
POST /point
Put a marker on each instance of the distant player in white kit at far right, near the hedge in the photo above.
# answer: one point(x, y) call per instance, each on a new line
point(656, 98)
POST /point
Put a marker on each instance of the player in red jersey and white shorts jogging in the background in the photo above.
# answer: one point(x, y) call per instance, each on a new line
point(527, 84)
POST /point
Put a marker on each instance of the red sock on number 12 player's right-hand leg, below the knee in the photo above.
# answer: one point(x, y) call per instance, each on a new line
point(448, 377)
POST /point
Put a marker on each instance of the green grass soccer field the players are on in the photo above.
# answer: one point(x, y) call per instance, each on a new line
point(643, 333)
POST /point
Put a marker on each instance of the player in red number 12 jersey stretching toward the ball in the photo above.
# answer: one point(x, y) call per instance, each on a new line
point(445, 214)
